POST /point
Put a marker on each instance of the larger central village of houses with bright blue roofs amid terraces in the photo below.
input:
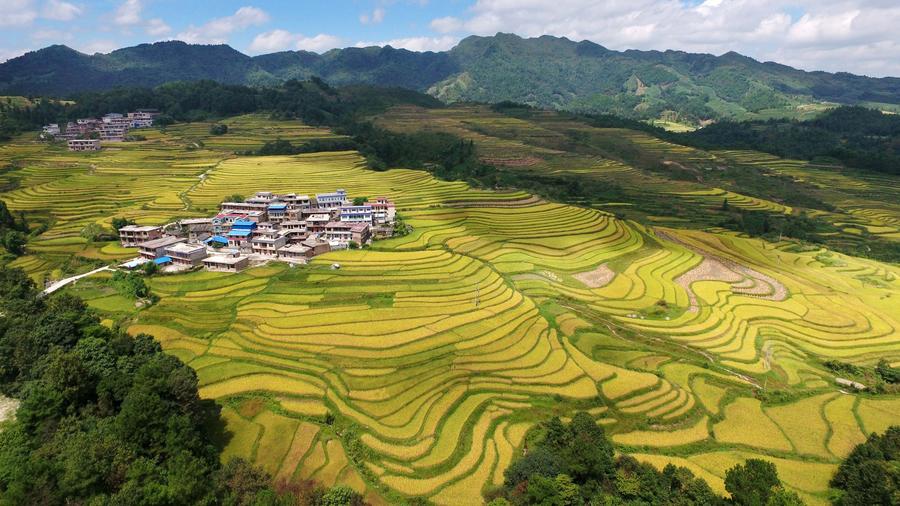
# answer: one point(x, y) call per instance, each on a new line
point(266, 226)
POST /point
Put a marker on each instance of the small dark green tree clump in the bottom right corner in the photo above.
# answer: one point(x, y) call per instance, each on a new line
point(870, 475)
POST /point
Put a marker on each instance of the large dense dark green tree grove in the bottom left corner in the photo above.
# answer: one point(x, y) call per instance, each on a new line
point(107, 418)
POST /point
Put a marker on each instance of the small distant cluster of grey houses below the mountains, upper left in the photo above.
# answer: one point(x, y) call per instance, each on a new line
point(87, 133)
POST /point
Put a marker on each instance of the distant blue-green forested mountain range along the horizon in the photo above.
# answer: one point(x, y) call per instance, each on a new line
point(545, 71)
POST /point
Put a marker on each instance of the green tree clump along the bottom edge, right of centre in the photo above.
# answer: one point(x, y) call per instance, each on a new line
point(575, 464)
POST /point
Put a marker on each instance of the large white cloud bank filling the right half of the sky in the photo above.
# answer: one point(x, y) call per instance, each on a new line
point(811, 34)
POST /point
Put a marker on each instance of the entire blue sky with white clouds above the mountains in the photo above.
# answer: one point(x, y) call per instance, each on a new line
point(851, 35)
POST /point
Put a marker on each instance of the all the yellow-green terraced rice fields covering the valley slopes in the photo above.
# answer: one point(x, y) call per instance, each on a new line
point(418, 367)
